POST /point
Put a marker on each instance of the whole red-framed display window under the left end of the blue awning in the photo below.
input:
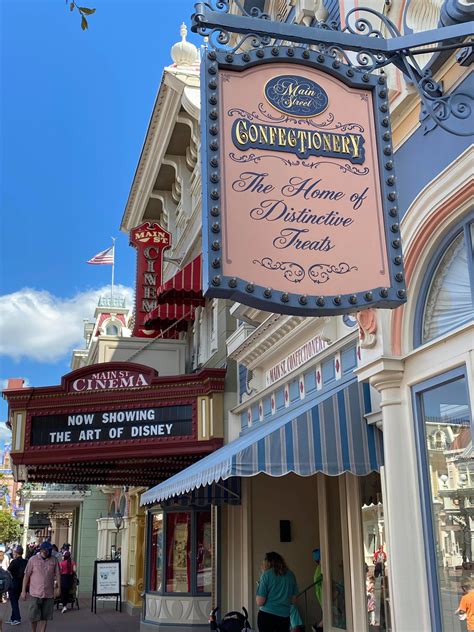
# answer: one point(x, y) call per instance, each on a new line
point(180, 552)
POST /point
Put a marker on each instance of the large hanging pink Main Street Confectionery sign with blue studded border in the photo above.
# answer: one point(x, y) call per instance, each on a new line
point(300, 204)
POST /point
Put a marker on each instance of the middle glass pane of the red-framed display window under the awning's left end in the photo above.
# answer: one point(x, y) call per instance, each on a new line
point(178, 545)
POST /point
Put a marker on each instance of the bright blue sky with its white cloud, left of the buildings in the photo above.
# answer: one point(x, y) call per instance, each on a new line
point(74, 114)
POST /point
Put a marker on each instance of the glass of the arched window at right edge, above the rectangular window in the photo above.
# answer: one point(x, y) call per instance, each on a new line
point(449, 299)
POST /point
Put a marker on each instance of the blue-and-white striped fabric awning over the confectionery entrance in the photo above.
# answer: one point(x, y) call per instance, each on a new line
point(329, 435)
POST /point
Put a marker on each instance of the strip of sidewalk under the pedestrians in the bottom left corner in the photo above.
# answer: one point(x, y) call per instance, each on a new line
point(106, 620)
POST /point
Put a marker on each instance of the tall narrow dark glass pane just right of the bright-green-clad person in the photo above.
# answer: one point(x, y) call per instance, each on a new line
point(336, 562)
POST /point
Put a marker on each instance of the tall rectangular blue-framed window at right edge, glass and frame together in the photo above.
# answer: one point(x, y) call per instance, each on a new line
point(444, 434)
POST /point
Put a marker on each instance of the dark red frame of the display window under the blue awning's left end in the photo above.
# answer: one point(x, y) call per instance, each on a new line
point(193, 569)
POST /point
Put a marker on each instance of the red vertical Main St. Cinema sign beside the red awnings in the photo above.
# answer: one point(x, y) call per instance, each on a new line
point(149, 240)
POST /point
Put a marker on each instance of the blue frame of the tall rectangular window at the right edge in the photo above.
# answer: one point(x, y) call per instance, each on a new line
point(424, 484)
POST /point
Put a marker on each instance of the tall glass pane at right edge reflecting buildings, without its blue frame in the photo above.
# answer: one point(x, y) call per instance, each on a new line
point(446, 416)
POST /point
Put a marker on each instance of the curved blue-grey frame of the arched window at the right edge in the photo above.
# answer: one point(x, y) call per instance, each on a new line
point(462, 226)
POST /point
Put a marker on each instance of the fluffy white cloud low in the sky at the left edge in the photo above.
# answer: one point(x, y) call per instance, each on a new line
point(39, 326)
